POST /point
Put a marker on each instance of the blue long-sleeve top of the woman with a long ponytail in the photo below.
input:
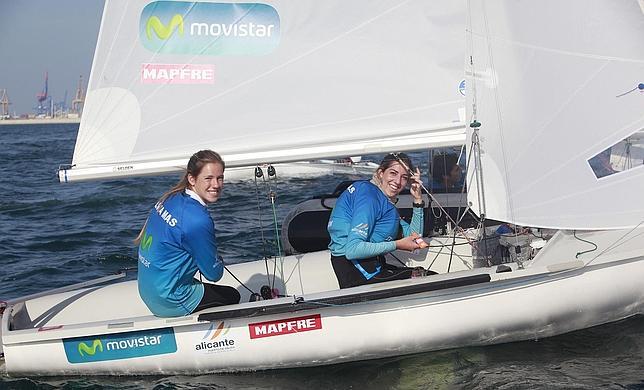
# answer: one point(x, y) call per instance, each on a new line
point(179, 239)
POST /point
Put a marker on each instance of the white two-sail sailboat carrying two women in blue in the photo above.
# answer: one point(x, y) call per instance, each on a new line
point(574, 257)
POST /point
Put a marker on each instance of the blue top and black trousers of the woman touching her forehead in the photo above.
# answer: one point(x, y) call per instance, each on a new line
point(363, 226)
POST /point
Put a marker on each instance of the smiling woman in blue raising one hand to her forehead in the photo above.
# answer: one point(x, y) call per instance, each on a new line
point(364, 224)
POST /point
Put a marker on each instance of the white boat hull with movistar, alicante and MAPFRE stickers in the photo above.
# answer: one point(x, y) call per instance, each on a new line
point(554, 294)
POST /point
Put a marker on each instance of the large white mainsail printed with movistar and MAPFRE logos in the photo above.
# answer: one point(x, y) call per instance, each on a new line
point(271, 82)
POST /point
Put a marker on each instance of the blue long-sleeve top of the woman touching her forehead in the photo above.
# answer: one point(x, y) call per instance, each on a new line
point(364, 223)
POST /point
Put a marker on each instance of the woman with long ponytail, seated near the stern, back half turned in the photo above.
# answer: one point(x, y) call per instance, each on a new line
point(178, 239)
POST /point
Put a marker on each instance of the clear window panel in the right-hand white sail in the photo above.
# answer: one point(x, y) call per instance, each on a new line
point(624, 155)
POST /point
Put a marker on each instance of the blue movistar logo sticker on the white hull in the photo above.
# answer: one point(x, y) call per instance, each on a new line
point(120, 345)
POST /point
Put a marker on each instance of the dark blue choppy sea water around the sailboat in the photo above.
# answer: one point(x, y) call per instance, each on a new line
point(53, 234)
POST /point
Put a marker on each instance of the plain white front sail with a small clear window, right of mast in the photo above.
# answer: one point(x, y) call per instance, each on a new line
point(550, 82)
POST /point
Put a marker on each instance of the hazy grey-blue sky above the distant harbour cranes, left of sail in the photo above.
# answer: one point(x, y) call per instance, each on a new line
point(38, 36)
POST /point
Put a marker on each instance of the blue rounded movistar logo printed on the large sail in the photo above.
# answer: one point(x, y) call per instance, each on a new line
point(220, 29)
